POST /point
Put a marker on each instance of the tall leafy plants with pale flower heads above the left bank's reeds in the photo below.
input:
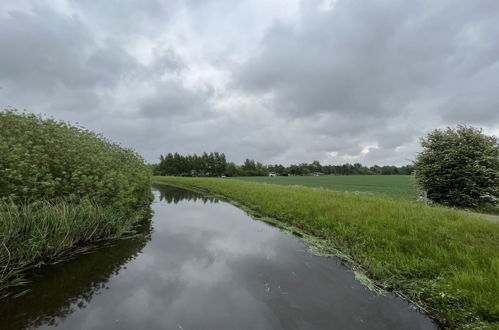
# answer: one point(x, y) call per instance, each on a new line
point(44, 159)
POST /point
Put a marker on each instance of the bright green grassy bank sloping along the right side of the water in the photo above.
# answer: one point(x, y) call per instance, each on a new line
point(443, 260)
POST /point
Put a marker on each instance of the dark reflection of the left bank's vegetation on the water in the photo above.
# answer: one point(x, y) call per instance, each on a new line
point(57, 291)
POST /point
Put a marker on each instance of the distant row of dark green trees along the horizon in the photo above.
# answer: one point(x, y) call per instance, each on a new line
point(215, 164)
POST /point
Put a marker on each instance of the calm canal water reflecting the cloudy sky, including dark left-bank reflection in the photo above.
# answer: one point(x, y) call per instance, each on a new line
point(204, 264)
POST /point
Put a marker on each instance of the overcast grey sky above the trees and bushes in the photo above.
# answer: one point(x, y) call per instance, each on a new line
point(278, 81)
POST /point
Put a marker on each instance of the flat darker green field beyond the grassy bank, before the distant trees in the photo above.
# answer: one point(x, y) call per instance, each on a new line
point(393, 185)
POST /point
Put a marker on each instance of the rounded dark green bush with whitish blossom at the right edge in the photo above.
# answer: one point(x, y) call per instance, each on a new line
point(459, 167)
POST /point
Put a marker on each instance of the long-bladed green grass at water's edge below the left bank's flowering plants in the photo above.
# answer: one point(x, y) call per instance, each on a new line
point(42, 232)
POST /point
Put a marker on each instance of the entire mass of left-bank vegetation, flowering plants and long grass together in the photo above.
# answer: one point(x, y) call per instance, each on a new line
point(61, 188)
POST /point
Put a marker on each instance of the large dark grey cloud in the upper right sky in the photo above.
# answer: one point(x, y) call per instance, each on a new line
point(372, 58)
